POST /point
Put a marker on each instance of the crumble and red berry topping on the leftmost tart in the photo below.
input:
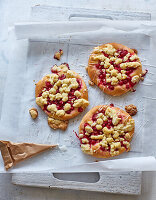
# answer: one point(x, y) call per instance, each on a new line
point(61, 95)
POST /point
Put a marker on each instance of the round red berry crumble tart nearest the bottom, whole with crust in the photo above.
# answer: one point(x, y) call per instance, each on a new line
point(106, 131)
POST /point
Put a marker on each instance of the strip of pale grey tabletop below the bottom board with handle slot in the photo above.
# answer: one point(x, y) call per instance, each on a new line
point(12, 192)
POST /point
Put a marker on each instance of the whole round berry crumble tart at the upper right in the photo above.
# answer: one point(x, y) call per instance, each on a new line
point(114, 68)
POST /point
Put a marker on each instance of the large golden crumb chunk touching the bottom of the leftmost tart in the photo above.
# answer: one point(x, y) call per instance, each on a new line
point(57, 124)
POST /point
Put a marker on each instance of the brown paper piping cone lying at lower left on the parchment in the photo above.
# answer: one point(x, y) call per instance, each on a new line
point(14, 153)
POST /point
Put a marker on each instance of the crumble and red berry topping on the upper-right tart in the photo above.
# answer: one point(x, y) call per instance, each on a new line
point(116, 67)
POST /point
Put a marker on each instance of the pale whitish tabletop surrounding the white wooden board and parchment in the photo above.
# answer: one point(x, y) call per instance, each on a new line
point(19, 10)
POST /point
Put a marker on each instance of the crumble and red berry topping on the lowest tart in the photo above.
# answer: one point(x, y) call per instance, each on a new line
point(106, 132)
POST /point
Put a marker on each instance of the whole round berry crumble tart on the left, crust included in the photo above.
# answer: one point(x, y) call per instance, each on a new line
point(63, 94)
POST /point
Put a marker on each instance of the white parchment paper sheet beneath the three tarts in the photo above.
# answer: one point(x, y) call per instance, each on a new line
point(77, 40)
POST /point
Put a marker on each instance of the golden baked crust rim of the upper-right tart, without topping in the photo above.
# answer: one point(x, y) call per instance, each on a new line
point(94, 72)
